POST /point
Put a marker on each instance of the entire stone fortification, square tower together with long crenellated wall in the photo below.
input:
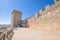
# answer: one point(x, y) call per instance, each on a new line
point(46, 20)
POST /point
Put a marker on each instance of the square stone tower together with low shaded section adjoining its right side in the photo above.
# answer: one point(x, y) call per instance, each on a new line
point(17, 19)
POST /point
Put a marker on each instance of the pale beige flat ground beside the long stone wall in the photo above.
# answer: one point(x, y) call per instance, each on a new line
point(29, 34)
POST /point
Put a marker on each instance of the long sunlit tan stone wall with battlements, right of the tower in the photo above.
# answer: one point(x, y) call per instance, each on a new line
point(48, 19)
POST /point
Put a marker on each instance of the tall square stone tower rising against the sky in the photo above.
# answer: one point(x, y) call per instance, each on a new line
point(16, 18)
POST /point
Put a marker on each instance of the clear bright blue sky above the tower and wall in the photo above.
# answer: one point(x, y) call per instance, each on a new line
point(27, 7)
